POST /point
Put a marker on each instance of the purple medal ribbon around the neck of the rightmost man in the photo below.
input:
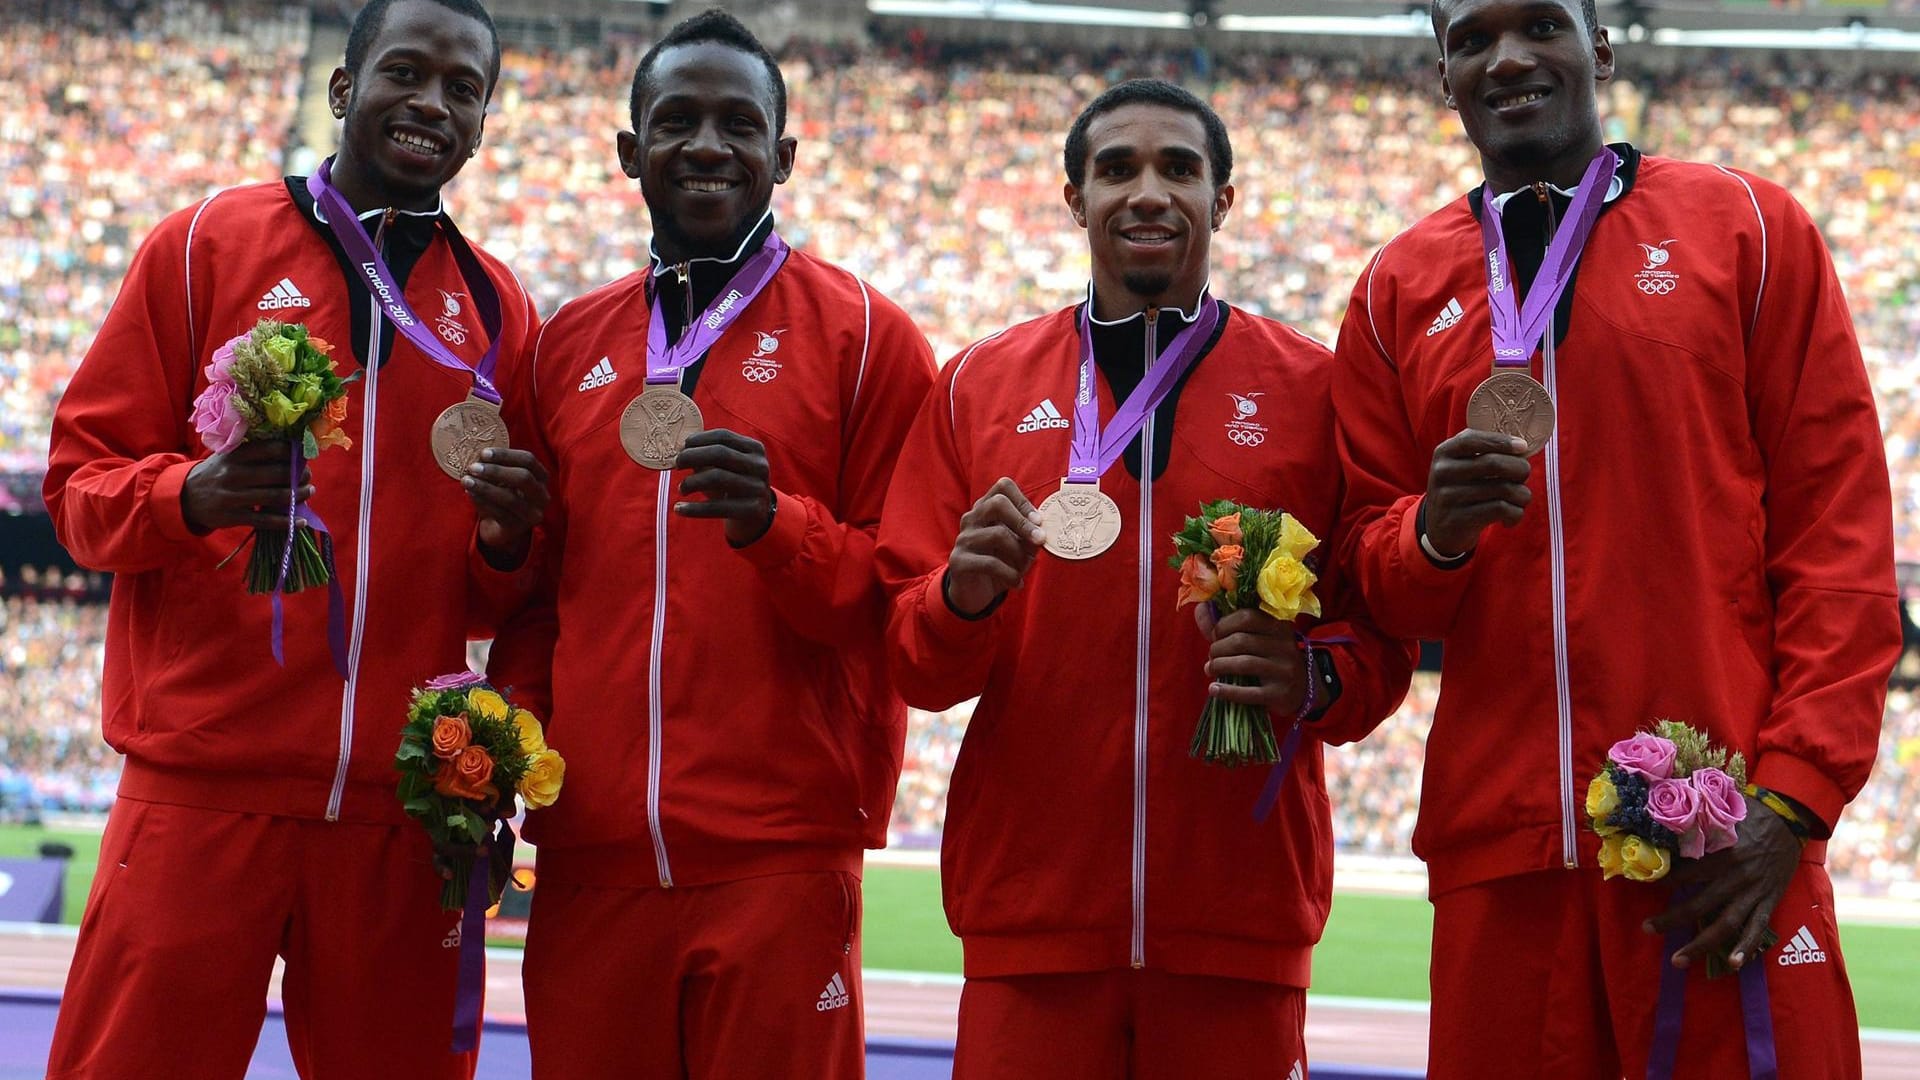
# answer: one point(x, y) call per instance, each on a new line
point(1518, 328)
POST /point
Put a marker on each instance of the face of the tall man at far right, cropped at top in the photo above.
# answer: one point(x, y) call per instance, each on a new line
point(1524, 78)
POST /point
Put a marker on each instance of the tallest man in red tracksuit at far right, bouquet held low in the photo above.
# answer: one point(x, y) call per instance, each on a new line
point(1706, 539)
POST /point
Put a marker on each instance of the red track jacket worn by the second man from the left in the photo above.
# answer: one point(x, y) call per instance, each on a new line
point(723, 712)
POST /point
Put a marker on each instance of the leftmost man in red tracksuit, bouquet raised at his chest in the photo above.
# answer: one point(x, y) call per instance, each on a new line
point(256, 814)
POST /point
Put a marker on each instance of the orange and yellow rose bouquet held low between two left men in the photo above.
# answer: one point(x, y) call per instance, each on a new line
point(464, 754)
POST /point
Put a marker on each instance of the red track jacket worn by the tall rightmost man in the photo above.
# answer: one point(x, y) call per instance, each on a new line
point(1710, 537)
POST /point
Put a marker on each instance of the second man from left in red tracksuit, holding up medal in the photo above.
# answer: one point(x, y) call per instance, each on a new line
point(711, 631)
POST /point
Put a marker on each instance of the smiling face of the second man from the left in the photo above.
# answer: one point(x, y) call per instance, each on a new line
point(706, 153)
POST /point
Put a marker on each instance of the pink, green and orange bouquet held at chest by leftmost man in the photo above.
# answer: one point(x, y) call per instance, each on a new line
point(277, 381)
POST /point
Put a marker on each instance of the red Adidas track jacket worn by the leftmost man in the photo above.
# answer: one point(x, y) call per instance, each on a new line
point(193, 697)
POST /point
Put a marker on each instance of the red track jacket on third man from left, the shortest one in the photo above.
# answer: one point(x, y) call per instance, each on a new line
point(1080, 835)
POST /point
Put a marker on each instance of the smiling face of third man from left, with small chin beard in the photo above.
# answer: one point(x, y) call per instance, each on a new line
point(1149, 209)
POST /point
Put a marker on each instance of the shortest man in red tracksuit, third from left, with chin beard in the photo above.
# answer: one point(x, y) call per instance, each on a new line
point(1122, 910)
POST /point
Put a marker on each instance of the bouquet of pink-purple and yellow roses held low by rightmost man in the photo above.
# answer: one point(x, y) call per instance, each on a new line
point(1664, 797)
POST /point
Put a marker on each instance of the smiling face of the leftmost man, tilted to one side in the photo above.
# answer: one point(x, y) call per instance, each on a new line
point(414, 110)
